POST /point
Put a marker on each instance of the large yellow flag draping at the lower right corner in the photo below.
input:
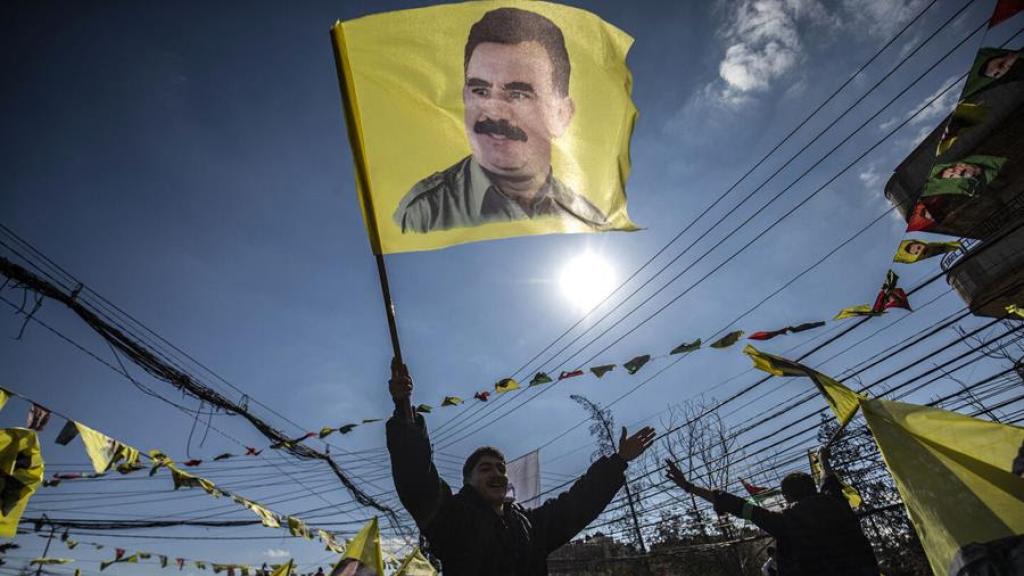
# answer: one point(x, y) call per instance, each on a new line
point(955, 475)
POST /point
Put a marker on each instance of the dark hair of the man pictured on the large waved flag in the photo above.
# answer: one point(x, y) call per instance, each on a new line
point(513, 26)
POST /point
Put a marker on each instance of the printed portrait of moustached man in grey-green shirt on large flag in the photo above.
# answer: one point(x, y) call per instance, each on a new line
point(517, 100)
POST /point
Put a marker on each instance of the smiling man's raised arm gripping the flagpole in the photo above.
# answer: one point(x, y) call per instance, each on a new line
point(420, 487)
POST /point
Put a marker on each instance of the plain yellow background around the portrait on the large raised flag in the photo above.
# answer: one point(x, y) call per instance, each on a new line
point(403, 81)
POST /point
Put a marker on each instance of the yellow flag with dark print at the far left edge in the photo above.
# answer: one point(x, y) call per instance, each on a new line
point(22, 472)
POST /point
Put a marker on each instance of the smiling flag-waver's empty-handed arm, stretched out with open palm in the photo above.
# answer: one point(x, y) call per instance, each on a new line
point(558, 521)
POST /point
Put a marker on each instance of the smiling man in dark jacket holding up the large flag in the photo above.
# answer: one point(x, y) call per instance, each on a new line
point(476, 531)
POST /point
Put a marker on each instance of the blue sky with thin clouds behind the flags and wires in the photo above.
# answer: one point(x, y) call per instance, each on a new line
point(189, 162)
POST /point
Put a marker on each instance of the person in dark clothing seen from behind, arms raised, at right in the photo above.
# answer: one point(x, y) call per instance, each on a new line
point(817, 534)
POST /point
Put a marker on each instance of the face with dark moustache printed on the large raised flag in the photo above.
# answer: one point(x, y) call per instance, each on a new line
point(514, 110)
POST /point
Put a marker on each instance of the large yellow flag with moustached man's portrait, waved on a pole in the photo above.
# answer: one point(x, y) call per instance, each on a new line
point(487, 120)
